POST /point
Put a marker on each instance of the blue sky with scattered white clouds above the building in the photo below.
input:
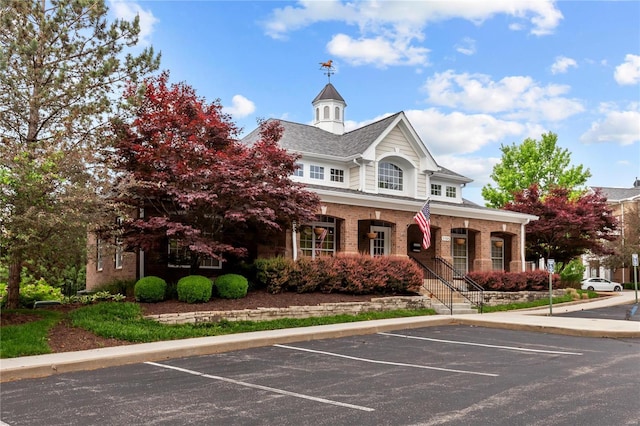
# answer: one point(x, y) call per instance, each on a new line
point(471, 76)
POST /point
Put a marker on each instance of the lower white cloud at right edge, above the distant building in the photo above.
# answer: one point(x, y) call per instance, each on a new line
point(621, 127)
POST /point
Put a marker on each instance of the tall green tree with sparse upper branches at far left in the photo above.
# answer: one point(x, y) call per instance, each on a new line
point(60, 64)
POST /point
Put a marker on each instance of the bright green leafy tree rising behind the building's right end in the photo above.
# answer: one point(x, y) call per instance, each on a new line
point(541, 162)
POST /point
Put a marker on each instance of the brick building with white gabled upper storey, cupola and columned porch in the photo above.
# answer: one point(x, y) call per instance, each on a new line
point(371, 182)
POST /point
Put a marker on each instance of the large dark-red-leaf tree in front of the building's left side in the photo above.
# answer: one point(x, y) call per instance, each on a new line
point(180, 161)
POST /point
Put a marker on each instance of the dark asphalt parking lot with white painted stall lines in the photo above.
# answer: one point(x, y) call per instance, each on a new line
point(428, 376)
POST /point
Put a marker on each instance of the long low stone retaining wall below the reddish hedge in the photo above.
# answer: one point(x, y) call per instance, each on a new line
point(324, 309)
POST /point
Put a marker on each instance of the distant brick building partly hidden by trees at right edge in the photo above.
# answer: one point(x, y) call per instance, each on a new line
point(625, 203)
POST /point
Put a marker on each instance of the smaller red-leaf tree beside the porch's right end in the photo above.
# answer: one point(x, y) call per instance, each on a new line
point(568, 226)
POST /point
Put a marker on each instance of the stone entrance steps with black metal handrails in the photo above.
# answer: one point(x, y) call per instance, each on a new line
point(443, 281)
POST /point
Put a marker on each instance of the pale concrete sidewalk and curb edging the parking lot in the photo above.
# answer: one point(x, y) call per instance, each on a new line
point(527, 320)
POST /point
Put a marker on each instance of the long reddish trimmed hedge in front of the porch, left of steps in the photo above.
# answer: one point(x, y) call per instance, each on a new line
point(352, 274)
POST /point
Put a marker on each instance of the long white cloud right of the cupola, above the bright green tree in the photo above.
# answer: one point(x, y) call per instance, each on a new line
point(517, 97)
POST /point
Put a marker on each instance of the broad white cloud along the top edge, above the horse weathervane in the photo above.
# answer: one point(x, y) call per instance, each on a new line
point(396, 27)
